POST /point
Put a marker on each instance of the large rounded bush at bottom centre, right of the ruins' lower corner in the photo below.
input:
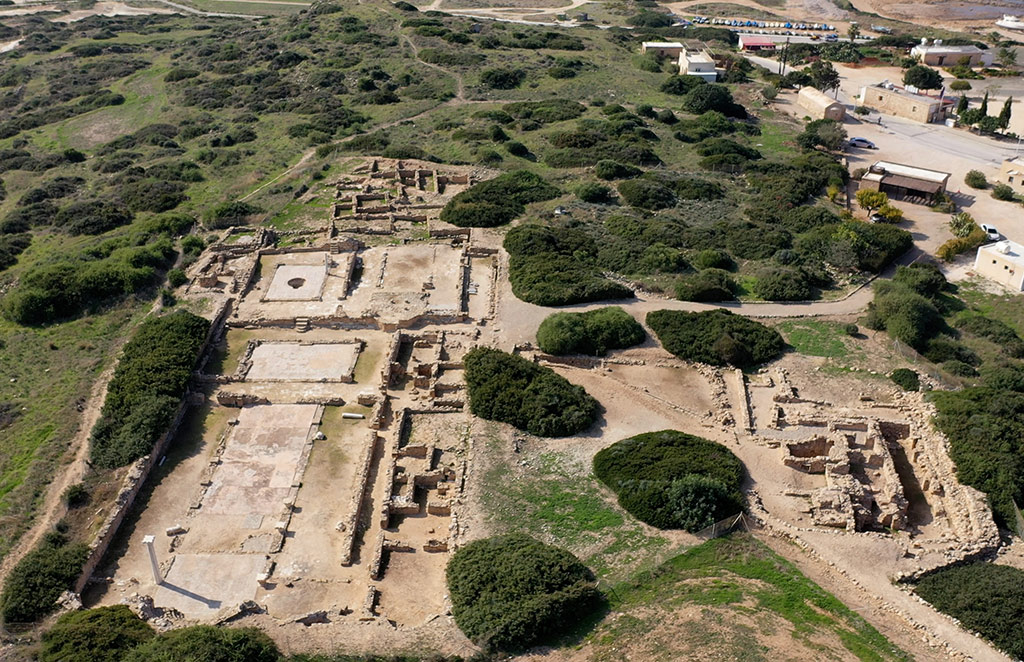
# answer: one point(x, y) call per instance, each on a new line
point(510, 593)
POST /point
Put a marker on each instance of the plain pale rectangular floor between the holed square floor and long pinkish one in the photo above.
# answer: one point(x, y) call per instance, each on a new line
point(294, 362)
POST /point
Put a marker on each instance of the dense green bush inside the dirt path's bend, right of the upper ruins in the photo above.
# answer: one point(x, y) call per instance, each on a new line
point(557, 267)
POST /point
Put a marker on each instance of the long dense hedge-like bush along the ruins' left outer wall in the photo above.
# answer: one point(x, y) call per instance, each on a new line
point(148, 386)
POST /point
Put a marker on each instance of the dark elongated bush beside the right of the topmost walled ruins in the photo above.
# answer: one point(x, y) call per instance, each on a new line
point(497, 201)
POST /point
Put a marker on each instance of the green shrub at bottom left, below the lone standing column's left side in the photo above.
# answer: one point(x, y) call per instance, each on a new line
point(102, 635)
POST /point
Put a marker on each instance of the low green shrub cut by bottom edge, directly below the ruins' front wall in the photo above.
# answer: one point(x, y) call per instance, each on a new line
point(208, 644)
